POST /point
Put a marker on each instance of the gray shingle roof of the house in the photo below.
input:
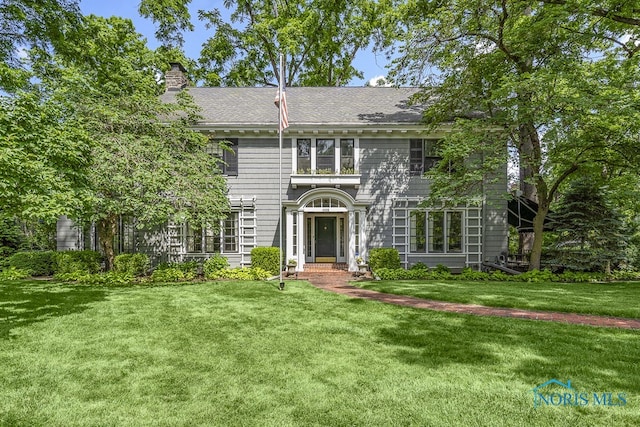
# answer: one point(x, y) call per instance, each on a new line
point(342, 106)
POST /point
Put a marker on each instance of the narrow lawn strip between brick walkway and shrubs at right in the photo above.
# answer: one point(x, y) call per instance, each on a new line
point(618, 299)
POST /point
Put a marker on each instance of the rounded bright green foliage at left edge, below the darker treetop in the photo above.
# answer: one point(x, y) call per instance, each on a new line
point(44, 155)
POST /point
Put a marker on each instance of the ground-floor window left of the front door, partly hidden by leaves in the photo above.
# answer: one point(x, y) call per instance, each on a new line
point(205, 239)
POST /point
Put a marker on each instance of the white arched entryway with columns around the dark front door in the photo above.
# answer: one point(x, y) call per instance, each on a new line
point(325, 225)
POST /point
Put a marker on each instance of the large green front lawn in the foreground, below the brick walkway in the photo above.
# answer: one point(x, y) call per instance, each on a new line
point(244, 353)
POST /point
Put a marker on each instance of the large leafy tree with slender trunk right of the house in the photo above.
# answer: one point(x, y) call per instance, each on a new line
point(556, 81)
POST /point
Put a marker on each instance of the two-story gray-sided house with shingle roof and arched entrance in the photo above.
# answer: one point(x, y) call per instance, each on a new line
point(352, 163)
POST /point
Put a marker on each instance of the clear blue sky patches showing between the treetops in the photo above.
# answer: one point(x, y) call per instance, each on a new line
point(371, 64)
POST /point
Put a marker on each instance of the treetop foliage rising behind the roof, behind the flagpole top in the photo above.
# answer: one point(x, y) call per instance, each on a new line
point(321, 40)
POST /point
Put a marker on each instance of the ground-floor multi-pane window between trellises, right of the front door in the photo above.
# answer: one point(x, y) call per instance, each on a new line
point(435, 231)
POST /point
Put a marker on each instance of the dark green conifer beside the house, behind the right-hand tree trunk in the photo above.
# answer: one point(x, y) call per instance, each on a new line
point(589, 233)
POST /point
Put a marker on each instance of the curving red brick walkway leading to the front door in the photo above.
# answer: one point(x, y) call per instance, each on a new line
point(338, 282)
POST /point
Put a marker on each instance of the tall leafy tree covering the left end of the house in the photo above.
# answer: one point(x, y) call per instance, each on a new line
point(147, 162)
